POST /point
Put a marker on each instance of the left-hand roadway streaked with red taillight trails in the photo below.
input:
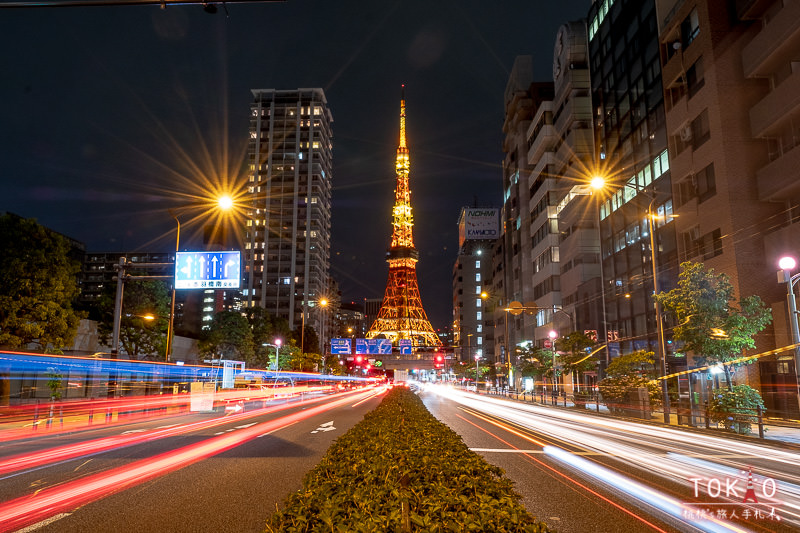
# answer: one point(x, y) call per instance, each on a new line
point(188, 473)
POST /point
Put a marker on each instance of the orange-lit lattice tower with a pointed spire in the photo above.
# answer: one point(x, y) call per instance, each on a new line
point(401, 315)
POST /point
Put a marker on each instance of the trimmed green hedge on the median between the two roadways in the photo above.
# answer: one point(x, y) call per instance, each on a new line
point(400, 469)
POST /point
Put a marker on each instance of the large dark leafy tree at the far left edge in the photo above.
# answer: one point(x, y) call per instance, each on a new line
point(37, 286)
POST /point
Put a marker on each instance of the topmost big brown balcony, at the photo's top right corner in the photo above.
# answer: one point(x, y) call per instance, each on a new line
point(775, 44)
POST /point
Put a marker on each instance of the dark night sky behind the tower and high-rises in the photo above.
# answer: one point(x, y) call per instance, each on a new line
point(110, 116)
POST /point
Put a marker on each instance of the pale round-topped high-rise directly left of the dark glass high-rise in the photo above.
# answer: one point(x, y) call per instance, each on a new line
point(578, 250)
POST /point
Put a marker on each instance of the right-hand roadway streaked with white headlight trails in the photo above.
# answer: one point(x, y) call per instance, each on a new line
point(582, 473)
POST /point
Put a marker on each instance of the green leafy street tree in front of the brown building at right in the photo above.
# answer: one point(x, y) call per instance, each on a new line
point(712, 325)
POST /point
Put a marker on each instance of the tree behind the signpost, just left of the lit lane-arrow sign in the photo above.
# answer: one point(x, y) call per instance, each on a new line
point(143, 319)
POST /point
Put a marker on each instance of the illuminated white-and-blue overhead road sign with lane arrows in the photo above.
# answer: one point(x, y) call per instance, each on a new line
point(207, 270)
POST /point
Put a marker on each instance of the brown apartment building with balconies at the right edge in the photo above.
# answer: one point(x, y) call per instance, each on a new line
point(732, 79)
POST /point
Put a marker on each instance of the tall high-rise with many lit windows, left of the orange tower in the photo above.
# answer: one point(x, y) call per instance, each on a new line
point(287, 245)
